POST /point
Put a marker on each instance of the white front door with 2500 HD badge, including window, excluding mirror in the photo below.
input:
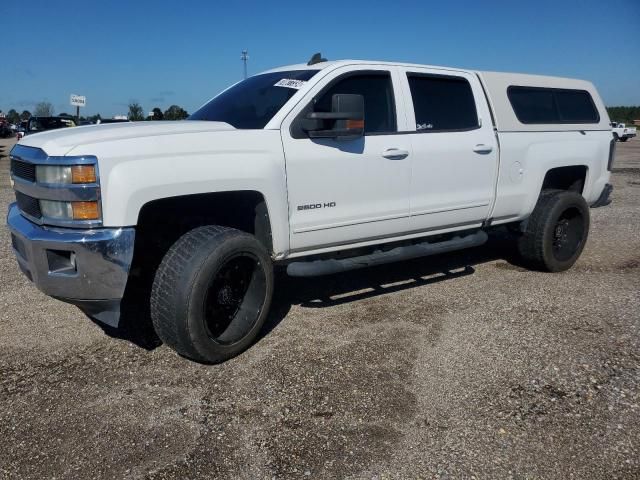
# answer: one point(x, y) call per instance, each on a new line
point(348, 191)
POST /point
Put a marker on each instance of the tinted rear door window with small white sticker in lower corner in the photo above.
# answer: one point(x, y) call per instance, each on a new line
point(442, 103)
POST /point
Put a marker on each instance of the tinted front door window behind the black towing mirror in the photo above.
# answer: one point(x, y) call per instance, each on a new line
point(377, 90)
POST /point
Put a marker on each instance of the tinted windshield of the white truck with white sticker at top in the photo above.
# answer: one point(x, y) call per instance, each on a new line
point(252, 103)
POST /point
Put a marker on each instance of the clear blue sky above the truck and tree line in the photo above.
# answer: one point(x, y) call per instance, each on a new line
point(160, 53)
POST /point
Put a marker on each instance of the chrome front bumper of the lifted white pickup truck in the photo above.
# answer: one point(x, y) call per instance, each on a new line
point(88, 268)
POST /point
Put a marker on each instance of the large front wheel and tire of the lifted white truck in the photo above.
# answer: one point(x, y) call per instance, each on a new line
point(212, 293)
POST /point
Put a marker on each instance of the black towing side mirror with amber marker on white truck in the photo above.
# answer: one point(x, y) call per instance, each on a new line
point(345, 121)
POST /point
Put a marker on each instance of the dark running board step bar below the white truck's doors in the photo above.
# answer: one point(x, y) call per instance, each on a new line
point(326, 267)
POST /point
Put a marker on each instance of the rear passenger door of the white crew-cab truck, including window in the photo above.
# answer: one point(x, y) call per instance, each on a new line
point(454, 149)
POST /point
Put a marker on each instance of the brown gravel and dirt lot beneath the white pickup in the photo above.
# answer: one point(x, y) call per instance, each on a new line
point(489, 371)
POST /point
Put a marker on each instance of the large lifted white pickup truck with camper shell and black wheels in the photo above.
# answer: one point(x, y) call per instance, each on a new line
point(320, 168)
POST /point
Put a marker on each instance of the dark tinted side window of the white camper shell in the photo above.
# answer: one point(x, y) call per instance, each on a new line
point(534, 105)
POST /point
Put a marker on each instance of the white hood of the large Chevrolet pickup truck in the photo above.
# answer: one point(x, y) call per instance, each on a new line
point(59, 142)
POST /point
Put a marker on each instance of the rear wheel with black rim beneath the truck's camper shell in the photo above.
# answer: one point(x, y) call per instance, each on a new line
point(556, 231)
